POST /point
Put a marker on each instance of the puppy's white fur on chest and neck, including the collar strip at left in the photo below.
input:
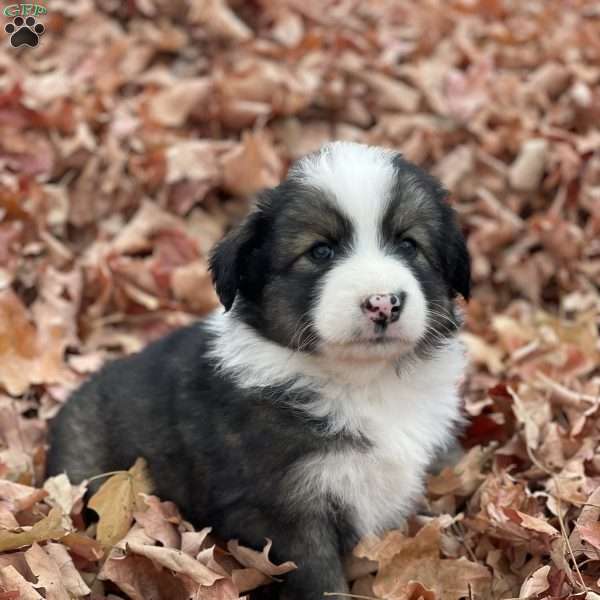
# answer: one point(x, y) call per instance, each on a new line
point(407, 417)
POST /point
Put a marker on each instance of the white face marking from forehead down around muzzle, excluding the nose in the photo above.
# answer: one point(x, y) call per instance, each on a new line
point(359, 180)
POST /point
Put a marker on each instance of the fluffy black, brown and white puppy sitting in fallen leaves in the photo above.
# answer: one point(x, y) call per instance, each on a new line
point(310, 409)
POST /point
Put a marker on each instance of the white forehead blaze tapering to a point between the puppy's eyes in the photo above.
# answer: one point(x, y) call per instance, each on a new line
point(358, 178)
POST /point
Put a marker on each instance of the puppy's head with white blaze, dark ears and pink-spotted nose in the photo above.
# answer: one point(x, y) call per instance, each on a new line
point(356, 254)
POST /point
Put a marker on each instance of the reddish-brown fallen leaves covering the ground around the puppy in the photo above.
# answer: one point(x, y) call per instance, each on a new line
point(133, 136)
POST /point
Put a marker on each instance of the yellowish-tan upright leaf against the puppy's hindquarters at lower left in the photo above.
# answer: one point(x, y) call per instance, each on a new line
point(117, 500)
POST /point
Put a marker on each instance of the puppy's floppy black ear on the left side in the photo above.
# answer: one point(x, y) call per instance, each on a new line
point(235, 255)
